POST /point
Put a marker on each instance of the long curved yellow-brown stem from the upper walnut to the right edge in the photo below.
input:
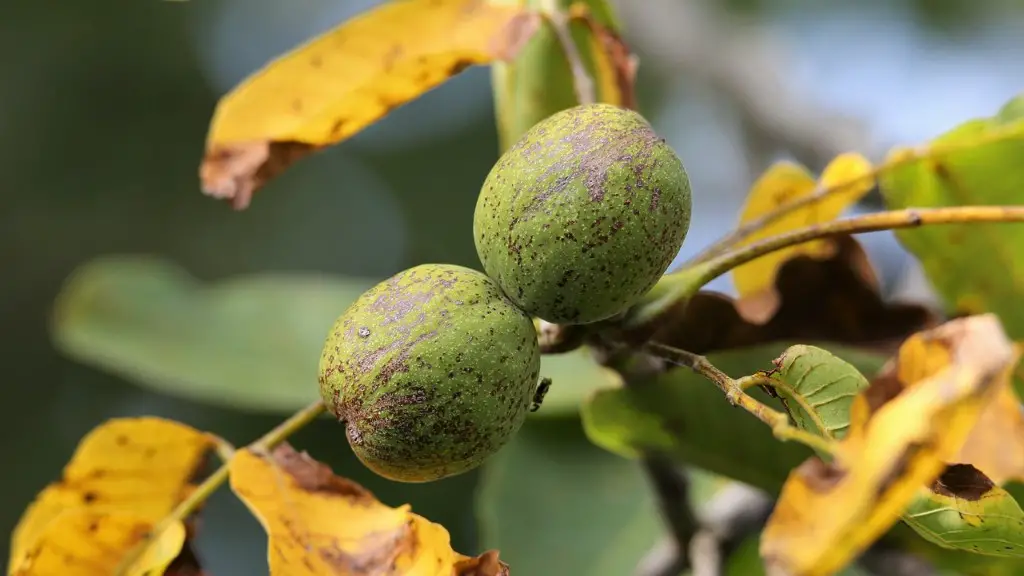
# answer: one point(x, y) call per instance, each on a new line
point(677, 287)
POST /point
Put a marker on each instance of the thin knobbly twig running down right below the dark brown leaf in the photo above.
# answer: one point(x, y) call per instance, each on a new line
point(779, 422)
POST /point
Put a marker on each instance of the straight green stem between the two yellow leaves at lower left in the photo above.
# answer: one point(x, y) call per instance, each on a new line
point(203, 492)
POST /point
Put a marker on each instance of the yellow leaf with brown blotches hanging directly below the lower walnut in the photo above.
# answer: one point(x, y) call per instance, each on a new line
point(321, 524)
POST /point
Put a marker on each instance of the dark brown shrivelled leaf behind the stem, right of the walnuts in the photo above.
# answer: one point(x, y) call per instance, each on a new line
point(835, 300)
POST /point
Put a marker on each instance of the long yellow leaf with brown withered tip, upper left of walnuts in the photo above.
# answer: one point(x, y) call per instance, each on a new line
point(343, 81)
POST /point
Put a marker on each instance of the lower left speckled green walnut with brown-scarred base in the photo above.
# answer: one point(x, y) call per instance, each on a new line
point(433, 372)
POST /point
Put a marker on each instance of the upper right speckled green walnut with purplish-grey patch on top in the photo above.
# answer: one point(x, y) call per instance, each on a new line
point(583, 216)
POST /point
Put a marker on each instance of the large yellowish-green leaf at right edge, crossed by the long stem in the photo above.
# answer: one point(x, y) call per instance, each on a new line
point(974, 268)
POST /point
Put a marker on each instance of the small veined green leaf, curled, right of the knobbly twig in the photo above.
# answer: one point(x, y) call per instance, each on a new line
point(818, 389)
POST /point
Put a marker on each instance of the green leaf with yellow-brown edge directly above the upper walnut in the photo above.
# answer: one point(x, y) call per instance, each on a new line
point(539, 81)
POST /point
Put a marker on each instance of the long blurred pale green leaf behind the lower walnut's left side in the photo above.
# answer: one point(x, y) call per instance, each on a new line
point(248, 344)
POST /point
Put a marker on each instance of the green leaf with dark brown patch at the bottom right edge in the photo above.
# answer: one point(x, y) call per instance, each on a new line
point(965, 511)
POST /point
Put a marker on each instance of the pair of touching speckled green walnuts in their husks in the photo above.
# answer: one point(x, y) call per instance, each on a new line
point(435, 369)
